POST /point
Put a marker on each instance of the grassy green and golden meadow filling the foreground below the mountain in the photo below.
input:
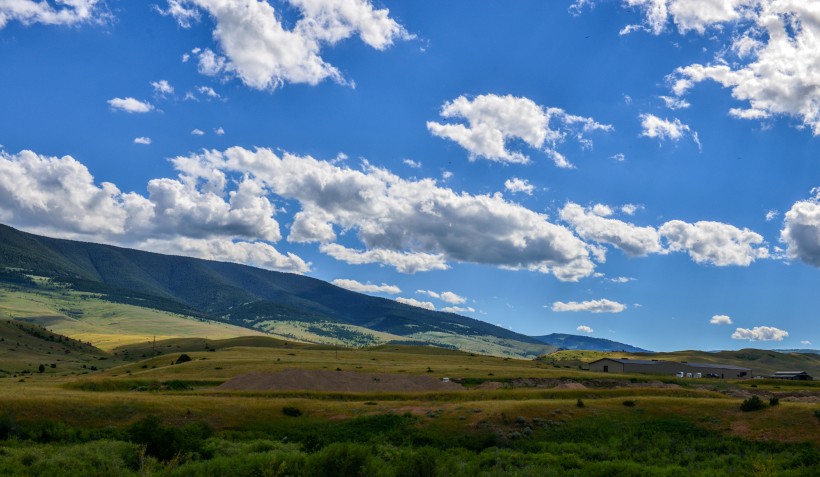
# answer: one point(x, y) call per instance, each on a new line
point(141, 412)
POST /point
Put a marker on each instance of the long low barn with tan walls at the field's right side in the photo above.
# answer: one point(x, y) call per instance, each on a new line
point(654, 366)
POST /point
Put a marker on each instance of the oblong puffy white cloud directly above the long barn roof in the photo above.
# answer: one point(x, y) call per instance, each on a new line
point(714, 242)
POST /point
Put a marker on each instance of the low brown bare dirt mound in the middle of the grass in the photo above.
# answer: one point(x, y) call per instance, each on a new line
point(336, 381)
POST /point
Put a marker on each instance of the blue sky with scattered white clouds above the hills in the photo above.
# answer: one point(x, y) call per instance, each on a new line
point(638, 170)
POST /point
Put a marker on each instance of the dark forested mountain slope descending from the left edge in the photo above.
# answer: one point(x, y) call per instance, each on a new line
point(241, 295)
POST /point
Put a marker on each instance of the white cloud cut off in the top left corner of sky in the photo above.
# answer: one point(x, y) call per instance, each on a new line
point(65, 12)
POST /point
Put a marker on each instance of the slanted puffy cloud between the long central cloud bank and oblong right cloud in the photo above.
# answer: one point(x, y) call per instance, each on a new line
point(631, 239)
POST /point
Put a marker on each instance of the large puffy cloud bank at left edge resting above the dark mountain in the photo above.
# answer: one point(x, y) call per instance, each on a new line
point(189, 215)
